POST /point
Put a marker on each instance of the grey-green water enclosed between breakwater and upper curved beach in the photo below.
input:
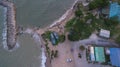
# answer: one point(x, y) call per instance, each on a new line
point(40, 12)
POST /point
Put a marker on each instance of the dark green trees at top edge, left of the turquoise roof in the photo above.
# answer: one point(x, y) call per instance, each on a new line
point(98, 4)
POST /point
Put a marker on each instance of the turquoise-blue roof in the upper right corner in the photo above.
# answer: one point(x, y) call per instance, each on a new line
point(114, 10)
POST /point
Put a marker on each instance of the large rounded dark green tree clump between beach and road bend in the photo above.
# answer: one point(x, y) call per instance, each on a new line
point(78, 29)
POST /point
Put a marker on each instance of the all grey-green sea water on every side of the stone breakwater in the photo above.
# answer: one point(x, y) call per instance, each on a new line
point(30, 13)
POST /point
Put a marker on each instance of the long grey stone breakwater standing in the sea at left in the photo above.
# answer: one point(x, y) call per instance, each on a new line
point(11, 23)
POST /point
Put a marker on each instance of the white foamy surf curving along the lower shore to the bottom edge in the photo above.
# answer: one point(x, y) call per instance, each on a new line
point(37, 38)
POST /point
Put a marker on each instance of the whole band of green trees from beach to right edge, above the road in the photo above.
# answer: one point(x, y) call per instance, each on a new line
point(79, 28)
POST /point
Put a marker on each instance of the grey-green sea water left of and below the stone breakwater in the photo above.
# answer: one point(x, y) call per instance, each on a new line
point(29, 53)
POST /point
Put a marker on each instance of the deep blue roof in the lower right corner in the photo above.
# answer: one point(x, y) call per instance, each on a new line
point(115, 56)
